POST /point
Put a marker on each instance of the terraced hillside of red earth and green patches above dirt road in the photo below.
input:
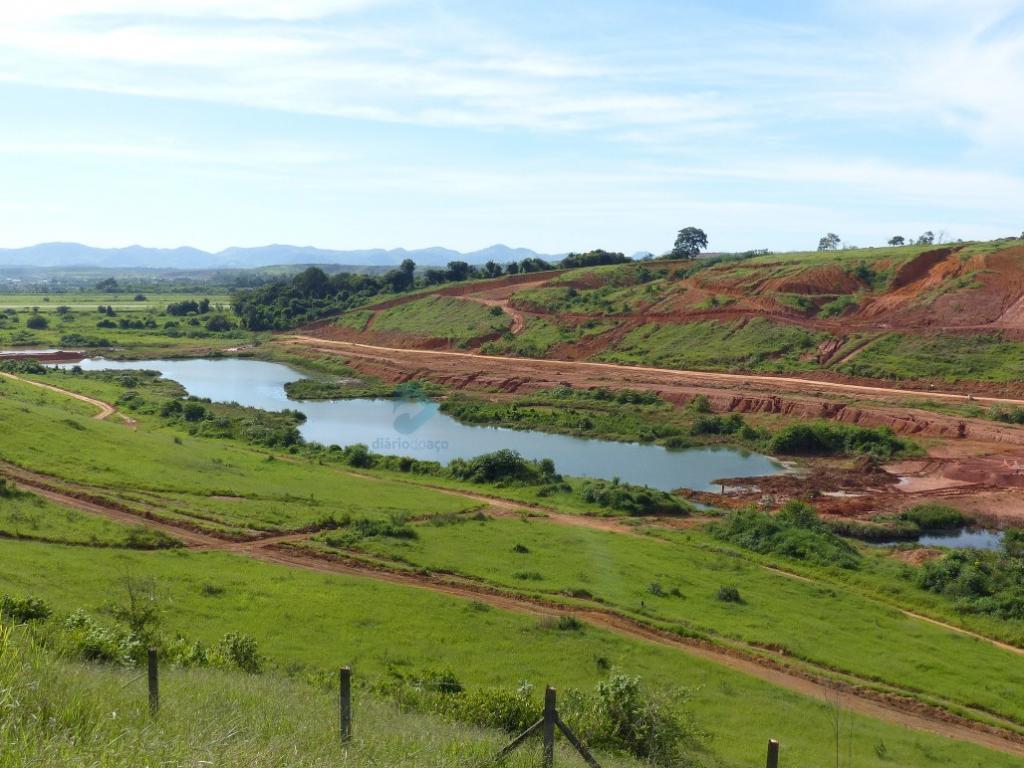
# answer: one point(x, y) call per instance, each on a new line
point(943, 315)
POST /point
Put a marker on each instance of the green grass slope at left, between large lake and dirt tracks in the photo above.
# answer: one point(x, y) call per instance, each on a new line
point(220, 485)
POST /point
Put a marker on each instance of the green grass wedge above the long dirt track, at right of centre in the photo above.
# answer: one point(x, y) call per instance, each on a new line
point(673, 580)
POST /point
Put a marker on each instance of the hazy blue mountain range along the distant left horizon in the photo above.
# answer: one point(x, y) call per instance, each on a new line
point(75, 254)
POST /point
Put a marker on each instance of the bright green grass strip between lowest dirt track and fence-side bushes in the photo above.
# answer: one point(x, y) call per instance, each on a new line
point(318, 622)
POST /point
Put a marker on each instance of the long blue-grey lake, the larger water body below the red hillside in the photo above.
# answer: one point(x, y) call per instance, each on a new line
point(420, 431)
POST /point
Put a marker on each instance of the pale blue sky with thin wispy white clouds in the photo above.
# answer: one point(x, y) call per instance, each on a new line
point(558, 125)
